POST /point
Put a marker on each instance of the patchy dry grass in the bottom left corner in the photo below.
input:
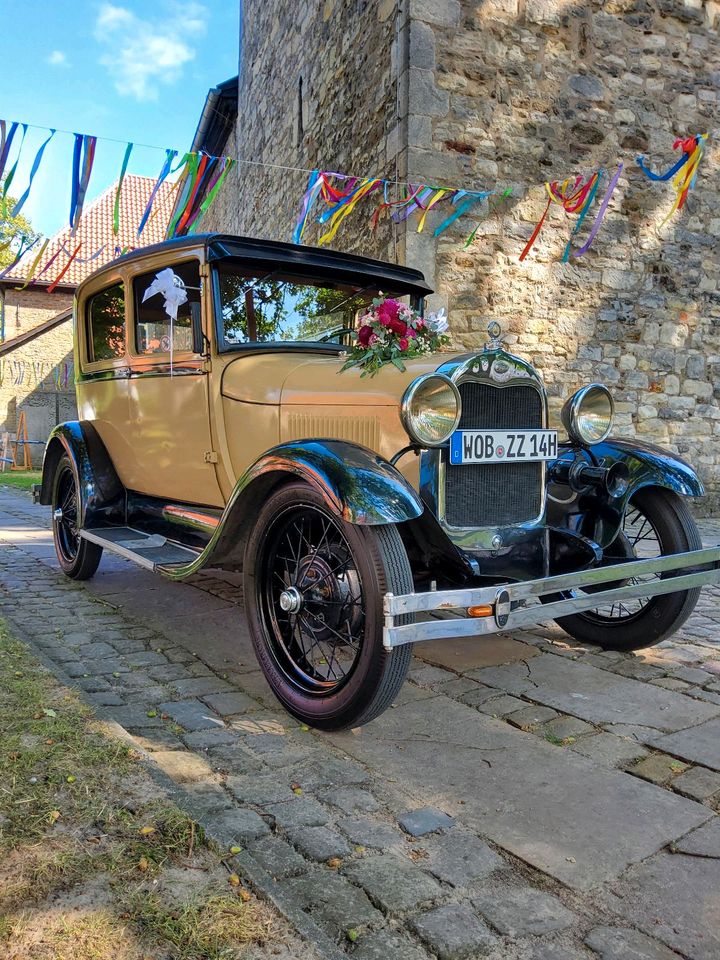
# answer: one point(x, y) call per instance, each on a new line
point(94, 864)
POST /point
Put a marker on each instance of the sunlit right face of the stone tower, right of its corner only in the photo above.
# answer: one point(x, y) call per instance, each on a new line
point(519, 91)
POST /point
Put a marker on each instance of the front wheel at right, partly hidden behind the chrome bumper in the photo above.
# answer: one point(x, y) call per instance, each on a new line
point(656, 523)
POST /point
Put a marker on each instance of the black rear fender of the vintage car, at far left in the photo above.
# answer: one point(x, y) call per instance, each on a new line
point(102, 495)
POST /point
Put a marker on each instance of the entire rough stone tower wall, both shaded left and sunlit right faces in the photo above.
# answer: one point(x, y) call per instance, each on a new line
point(481, 93)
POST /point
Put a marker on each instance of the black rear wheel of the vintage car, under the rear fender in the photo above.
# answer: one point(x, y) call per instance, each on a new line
point(77, 557)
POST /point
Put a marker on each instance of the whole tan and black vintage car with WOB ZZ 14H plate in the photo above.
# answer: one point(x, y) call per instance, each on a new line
point(366, 513)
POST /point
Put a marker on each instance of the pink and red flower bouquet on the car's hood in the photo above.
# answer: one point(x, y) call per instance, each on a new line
point(391, 332)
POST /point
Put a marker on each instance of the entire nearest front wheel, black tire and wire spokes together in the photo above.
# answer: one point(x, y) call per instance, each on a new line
point(341, 584)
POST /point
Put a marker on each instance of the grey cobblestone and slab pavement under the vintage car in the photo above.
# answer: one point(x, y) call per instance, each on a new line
point(524, 799)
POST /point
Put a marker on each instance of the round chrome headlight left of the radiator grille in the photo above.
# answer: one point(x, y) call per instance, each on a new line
point(430, 409)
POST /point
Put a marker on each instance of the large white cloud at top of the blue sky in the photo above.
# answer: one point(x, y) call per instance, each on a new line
point(143, 53)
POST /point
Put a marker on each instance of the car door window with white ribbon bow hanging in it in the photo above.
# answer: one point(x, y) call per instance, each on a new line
point(167, 309)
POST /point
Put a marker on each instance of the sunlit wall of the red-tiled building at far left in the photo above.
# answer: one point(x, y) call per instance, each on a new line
point(28, 374)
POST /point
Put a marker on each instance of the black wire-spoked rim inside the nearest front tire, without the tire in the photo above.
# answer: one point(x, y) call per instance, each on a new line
point(311, 600)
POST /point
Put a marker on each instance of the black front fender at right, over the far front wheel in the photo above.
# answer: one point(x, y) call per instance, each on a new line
point(598, 516)
